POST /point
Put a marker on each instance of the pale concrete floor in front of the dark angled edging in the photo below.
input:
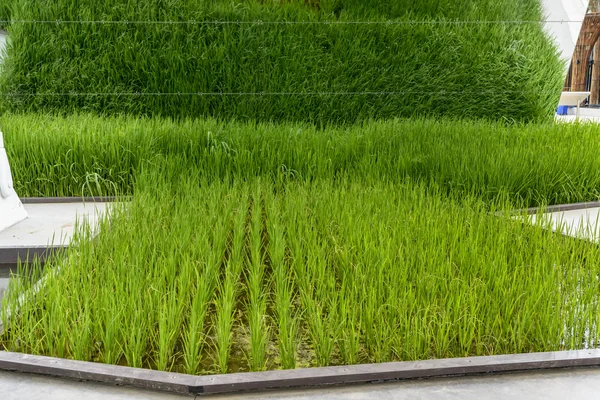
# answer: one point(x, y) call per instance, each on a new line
point(579, 384)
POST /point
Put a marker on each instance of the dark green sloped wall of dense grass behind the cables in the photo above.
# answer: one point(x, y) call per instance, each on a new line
point(315, 72)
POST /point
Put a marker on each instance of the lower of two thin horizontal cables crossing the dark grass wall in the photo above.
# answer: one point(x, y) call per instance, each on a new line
point(372, 93)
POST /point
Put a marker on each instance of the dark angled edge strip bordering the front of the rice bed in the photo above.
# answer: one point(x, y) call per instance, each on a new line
point(282, 379)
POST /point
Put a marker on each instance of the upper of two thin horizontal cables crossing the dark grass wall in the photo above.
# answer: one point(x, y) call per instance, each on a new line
point(260, 22)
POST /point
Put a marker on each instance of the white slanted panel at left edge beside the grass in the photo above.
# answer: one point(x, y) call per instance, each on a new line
point(11, 208)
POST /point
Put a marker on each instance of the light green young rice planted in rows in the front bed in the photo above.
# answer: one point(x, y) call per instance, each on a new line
point(205, 276)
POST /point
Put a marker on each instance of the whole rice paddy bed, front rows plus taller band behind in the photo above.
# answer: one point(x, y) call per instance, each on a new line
point(254, 246)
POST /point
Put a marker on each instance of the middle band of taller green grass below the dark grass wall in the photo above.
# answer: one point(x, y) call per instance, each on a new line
point(538, 164)
